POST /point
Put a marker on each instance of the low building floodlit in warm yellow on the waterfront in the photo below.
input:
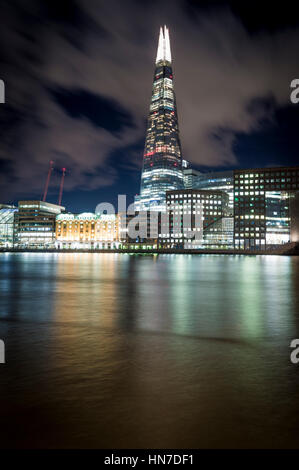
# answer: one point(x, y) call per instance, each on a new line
point(87, 230)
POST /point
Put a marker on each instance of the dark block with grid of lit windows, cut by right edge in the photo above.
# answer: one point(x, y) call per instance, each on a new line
point(265, 207)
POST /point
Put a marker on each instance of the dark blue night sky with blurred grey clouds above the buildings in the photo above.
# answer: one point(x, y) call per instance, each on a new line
point(78, 77)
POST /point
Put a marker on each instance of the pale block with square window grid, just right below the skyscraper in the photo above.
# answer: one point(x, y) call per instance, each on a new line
point(197, 219)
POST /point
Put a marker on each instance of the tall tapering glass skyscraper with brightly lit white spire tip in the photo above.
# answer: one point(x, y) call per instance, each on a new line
point(162, 159)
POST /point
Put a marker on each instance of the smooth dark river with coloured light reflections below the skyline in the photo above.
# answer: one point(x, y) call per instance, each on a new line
point(116, 350)
